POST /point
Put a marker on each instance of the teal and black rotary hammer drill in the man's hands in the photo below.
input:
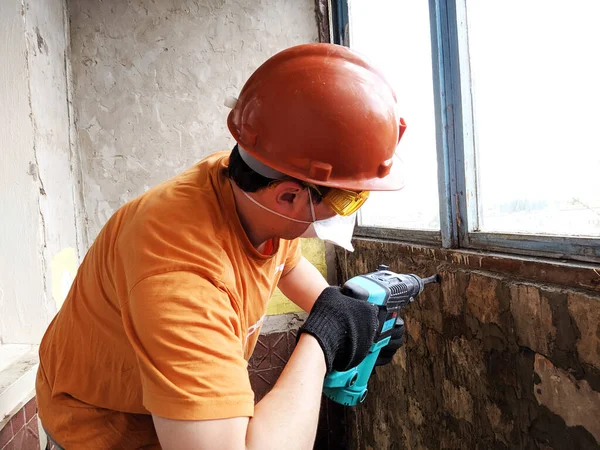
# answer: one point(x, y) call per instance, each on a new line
point(391, 292)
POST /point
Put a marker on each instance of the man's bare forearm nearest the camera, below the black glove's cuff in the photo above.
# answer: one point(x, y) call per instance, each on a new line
point(287, 416)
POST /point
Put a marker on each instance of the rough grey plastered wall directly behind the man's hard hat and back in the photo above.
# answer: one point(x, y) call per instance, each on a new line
point(150, 78)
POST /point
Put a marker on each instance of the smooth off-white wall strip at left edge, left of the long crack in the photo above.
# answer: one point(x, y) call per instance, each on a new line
point(20, 228)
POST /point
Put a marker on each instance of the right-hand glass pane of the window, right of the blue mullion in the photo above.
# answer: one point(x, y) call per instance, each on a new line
point(535, 73)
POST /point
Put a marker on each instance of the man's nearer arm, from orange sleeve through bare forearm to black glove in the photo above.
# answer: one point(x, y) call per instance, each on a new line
point(177, 384)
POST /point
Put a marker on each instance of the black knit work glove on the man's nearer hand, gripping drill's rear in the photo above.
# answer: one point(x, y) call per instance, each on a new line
point(344, 327)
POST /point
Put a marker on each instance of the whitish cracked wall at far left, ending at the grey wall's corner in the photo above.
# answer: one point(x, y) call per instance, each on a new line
point(37, 185)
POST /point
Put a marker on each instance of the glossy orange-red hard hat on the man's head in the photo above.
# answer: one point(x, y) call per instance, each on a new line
point(322, 114)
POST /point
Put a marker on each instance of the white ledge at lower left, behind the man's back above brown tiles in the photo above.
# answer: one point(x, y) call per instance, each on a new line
point(18, 368)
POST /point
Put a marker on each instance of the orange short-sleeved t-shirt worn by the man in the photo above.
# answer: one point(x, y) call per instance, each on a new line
point(161, 319)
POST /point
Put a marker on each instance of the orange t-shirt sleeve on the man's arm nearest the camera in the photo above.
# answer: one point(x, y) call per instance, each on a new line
point(188, 340)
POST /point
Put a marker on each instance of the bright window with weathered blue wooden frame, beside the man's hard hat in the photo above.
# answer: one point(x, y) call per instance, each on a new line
point(500, 98)
